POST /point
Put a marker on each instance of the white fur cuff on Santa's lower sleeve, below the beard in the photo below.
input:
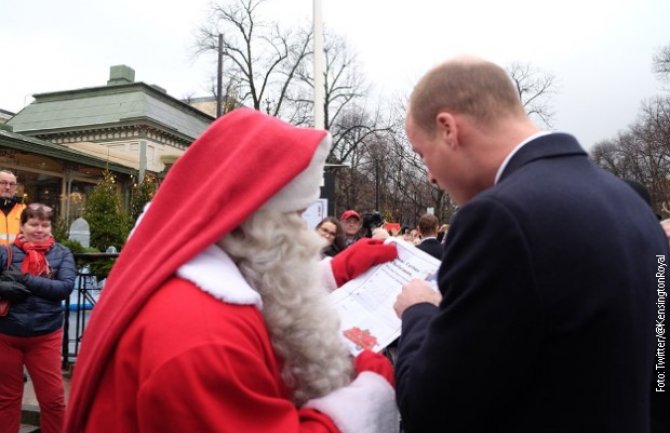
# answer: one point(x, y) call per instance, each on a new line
point(367, 405)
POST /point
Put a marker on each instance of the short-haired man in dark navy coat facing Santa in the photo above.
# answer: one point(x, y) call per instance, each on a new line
point(545, 320)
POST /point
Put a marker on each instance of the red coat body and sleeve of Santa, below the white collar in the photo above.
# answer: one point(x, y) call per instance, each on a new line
point(191, 363)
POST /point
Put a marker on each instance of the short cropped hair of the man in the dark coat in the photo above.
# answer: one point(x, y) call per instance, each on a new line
point(474, 87)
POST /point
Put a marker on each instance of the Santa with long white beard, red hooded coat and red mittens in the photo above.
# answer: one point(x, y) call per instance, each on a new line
point(215, 316)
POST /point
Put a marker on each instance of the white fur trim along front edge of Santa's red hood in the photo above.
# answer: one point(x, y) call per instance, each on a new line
point(304, 189)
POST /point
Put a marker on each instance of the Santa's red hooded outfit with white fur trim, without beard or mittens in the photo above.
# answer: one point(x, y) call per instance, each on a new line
point(160, 355)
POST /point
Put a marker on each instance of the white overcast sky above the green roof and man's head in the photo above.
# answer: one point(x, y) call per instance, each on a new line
point(599, 51)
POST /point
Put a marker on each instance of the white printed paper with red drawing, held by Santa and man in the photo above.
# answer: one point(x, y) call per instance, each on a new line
point(365, 304)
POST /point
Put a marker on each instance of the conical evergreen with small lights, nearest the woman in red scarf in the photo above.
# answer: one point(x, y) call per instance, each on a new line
point(108, 222)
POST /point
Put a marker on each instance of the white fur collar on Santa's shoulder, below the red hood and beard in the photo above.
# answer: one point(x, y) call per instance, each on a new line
point(214, 272)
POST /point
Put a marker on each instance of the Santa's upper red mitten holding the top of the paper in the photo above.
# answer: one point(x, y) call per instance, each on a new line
point(359, 257)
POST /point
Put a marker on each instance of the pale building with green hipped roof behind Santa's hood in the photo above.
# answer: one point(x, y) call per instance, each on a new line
point(59, 144)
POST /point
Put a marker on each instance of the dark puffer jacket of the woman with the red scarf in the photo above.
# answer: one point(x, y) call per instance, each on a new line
point(40, 313)
